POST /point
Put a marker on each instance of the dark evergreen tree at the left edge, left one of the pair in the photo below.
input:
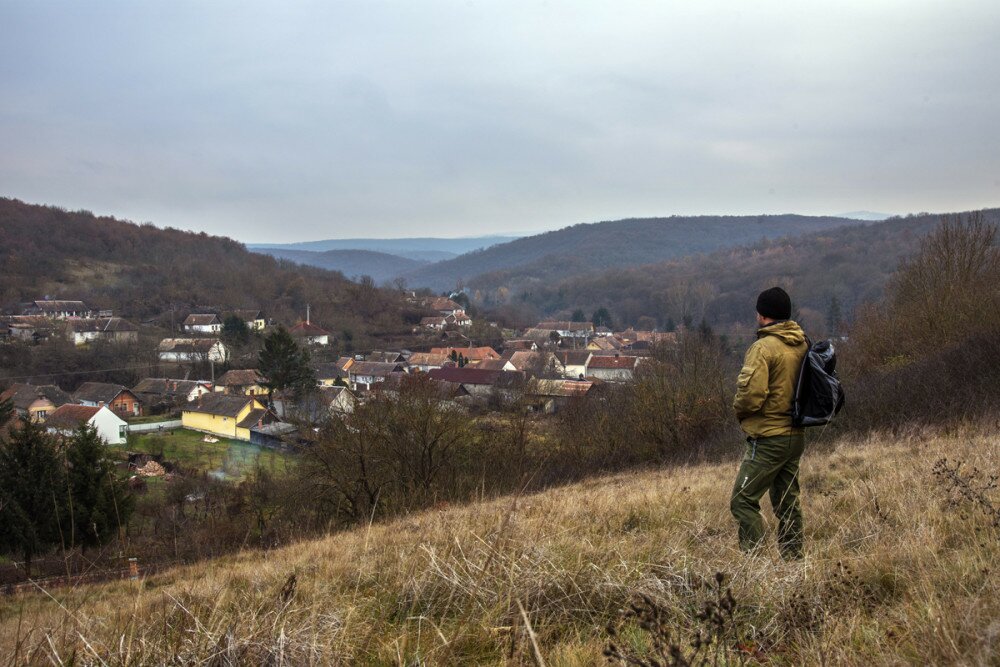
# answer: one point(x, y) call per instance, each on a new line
point(32, 492)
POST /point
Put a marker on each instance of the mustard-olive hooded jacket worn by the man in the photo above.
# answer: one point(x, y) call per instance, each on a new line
point(766, 384)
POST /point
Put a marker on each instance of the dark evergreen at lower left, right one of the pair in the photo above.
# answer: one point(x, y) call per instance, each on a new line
point(99, 502)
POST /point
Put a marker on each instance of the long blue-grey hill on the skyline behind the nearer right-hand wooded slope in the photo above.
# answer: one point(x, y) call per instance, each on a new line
point(589, 247)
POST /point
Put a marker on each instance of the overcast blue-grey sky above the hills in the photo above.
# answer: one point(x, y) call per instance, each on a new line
point(285, 121)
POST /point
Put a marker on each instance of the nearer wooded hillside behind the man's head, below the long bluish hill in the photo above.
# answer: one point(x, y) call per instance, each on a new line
point(850, 264)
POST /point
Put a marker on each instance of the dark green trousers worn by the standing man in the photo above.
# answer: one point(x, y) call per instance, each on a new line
point(770, 465)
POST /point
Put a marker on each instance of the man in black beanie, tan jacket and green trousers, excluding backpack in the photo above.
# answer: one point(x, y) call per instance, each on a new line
point(764, 393)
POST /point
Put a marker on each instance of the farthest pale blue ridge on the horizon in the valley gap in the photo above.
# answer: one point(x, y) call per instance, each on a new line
point(420, 248)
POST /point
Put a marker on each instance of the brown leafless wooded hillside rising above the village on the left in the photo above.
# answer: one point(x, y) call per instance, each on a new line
point(142, 271)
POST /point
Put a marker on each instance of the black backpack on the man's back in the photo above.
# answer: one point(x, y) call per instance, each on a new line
point(818, 393)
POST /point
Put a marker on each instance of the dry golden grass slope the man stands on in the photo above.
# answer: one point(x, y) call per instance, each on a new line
point(901, 568)
